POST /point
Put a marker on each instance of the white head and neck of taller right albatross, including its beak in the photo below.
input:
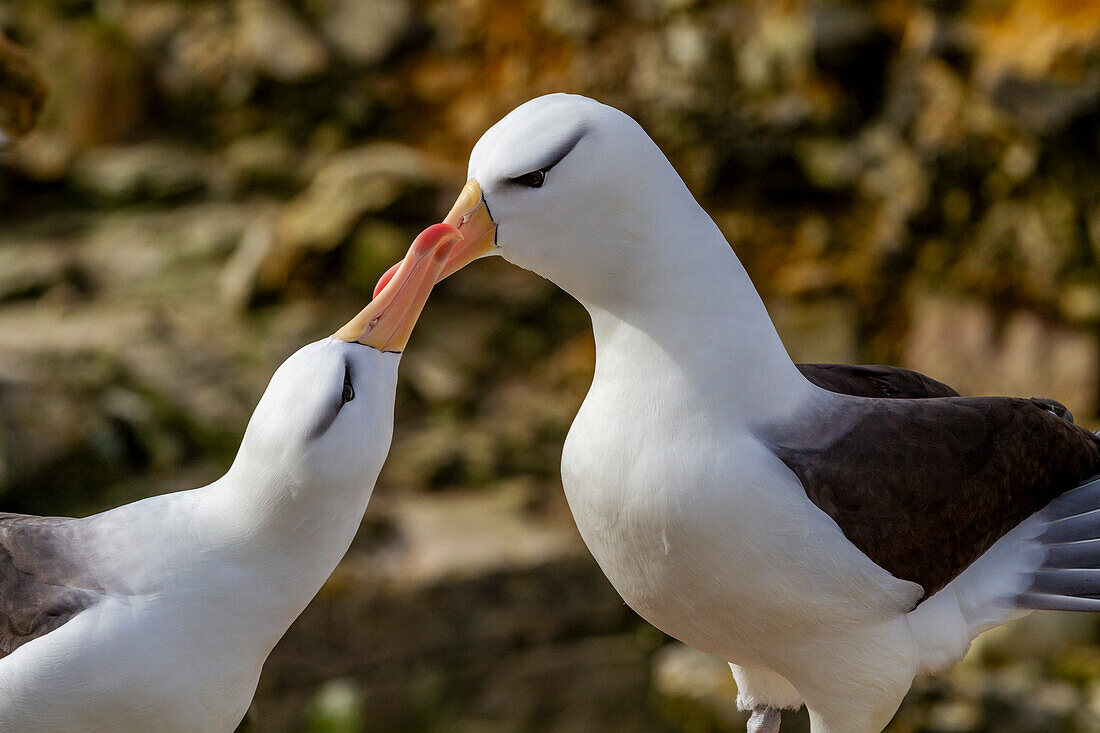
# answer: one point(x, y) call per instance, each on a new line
point(578, 193)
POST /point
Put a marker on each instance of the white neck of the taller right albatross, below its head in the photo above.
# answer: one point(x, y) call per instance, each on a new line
point(694, 311)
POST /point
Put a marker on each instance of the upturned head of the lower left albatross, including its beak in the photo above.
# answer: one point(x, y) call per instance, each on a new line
point(326, 419)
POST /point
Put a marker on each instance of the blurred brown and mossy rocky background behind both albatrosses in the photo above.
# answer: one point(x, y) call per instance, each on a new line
point(216, 183)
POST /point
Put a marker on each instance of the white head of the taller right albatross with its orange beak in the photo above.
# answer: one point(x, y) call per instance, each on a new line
point(577, 192)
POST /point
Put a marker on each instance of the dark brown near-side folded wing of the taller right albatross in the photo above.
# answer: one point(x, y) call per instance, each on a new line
point(925, 487)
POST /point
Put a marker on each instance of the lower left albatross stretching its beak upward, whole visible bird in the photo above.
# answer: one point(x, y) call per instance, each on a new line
point(159, 616)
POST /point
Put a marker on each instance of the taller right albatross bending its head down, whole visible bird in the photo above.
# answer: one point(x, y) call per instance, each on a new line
point(810, 524)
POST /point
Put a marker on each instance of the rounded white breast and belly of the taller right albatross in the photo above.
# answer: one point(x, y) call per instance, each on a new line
point(707, 534)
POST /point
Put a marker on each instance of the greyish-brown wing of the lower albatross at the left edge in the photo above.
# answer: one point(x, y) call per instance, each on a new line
point(35, 596)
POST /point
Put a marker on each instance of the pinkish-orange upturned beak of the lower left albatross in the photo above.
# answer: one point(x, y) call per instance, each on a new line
point(387, 323)
